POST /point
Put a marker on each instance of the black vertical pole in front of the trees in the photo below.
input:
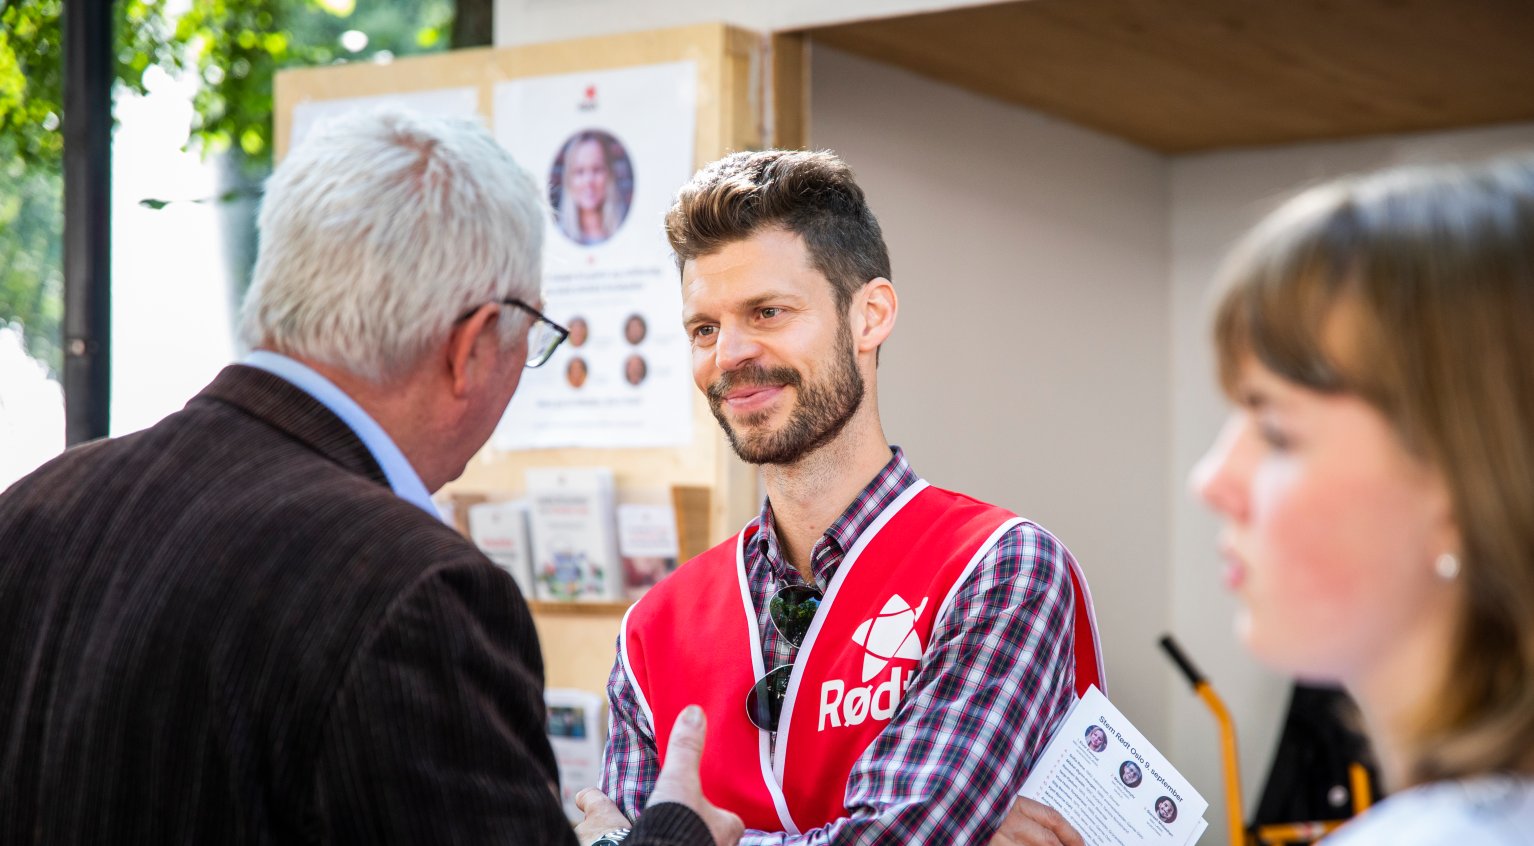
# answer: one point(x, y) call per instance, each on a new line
point(88, 219)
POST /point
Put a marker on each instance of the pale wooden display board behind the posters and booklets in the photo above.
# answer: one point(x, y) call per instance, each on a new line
point(713, 492)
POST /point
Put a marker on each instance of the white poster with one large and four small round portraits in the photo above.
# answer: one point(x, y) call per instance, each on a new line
point(611, 148)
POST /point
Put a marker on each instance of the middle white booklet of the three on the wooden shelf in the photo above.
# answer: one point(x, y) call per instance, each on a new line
point(574, 546)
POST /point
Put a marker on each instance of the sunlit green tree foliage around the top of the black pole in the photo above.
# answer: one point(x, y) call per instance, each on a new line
point(234, 47)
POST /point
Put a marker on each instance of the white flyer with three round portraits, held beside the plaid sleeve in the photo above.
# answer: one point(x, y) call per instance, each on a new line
point(1111, 784)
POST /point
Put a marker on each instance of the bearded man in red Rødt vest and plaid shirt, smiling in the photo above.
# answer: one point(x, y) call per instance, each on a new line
point(880, 659)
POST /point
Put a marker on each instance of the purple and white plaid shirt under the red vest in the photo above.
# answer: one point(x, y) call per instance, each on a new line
point(993, 684)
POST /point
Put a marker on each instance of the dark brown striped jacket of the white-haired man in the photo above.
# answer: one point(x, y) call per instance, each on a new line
point(228, 629)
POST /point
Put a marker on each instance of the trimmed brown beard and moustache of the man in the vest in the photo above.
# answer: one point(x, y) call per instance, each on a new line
point(820, 415)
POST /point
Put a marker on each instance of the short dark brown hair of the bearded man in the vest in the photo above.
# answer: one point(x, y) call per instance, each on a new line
point(811, 194)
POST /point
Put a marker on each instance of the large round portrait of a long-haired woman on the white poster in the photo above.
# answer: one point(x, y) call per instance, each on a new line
point(591, 187)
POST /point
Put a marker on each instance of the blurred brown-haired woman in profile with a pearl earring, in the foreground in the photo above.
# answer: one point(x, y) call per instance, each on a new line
point(1377, 480)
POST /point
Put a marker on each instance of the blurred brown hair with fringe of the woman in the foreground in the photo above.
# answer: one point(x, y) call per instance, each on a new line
point(1414, 291)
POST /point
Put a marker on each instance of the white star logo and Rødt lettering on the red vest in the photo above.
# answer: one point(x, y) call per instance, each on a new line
point(887, 636)
